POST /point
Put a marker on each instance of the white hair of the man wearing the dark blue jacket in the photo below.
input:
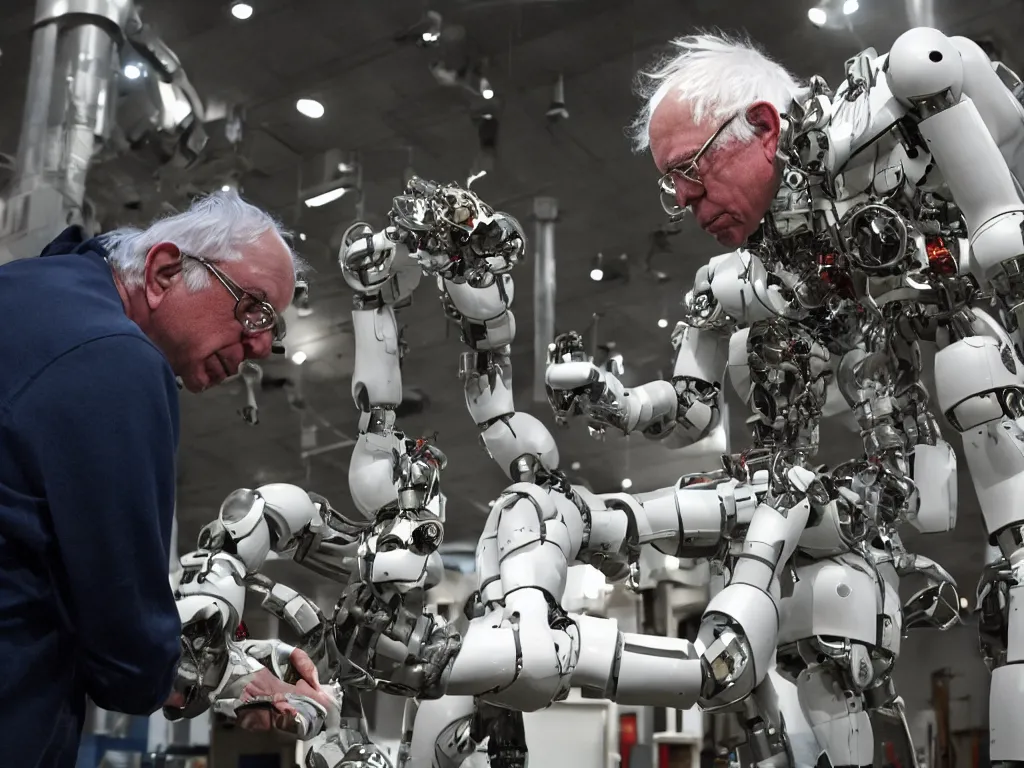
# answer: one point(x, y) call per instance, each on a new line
point(217, 227)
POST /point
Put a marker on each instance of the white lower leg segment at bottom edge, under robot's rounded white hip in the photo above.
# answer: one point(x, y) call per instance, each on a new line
point(838, 718)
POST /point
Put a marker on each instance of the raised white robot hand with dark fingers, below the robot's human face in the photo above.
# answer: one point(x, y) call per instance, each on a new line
point(578, 388)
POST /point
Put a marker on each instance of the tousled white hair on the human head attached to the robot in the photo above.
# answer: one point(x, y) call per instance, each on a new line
point(718, 76)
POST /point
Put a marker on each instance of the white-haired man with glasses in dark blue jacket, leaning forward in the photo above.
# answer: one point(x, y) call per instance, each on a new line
point(96, 333)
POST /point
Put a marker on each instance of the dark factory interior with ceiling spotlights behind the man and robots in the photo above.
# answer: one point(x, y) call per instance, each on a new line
point(320, 111)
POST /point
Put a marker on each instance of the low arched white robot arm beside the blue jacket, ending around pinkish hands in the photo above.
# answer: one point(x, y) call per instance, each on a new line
point(239, 677)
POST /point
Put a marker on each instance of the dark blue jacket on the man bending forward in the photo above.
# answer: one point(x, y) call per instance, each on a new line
point(89, 435)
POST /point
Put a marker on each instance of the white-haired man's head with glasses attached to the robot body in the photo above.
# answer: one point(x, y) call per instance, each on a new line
point(711, 120)
